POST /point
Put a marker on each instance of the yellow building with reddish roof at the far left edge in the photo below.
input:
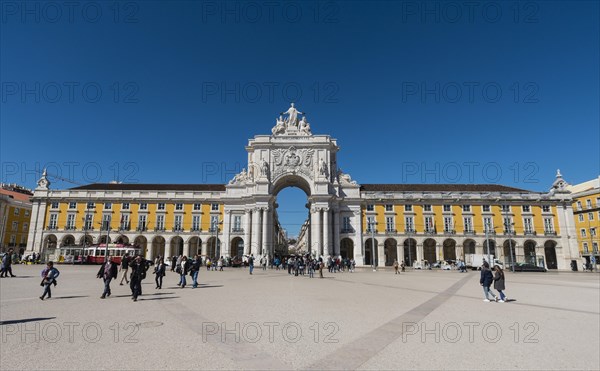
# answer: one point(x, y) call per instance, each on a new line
point(15, 215)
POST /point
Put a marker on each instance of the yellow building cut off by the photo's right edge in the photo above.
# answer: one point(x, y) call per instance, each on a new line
point(586, 211)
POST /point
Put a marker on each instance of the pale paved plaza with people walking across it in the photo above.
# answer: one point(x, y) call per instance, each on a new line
point(271, 320)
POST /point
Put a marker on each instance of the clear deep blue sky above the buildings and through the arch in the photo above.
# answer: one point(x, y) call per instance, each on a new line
point(357, 68)
